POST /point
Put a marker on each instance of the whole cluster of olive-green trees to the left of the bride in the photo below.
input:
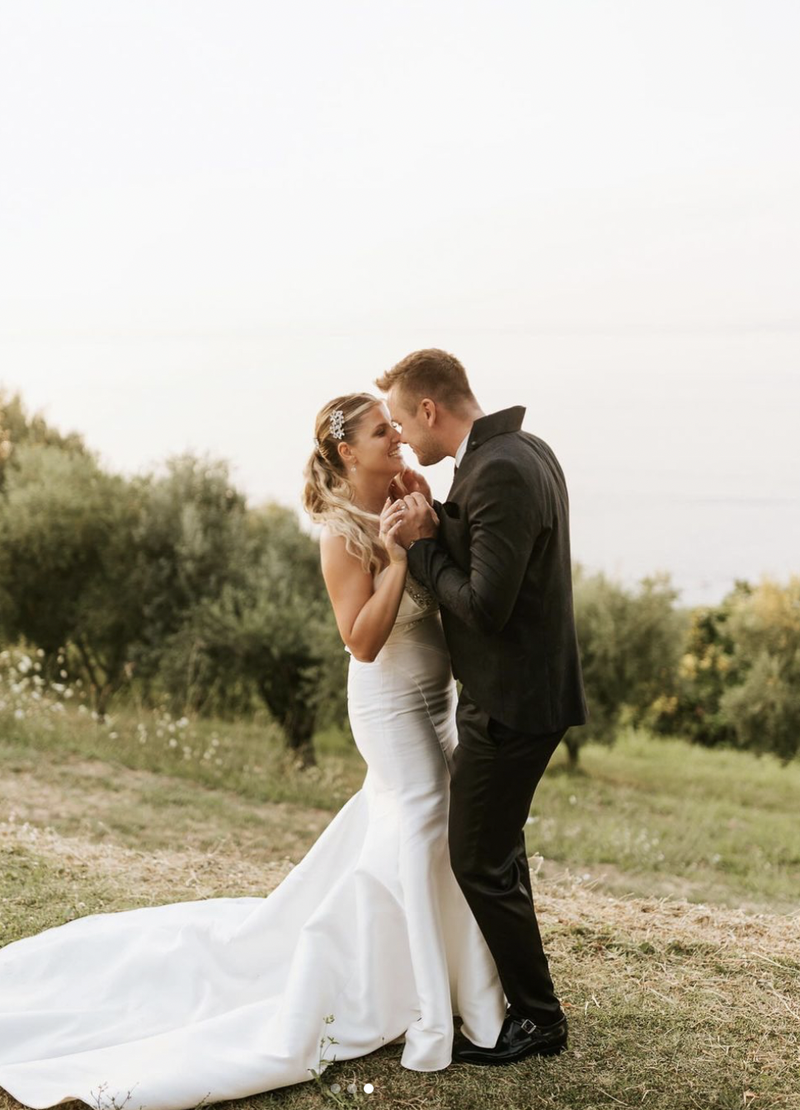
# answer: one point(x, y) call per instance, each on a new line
point(168, 583)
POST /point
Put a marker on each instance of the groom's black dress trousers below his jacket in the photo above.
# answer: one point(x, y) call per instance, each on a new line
point(497, 772)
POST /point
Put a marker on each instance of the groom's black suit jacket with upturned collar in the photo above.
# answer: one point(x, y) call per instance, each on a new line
point(501, 570)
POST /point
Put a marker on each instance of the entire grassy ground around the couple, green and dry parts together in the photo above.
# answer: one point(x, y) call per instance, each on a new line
point(667, 880)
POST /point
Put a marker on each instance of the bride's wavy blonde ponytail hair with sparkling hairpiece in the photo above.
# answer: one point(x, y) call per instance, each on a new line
point(329, 495)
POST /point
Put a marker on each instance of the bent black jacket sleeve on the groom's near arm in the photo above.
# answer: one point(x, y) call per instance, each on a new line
point(505, 521)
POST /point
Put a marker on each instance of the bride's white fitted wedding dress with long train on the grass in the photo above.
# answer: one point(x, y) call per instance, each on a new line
point(227, 997)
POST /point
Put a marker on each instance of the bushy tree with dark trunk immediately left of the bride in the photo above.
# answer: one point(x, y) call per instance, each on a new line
point(268, 632)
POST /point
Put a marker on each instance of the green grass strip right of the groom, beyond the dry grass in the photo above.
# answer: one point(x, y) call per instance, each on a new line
point(662, 818)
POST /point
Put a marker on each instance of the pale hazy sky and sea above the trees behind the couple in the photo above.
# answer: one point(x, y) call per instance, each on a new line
point(215, 217)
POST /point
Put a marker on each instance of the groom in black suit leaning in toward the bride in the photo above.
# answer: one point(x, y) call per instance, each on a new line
point(498, 560)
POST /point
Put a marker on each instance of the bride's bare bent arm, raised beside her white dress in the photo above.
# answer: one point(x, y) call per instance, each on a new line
point(364, 615)
